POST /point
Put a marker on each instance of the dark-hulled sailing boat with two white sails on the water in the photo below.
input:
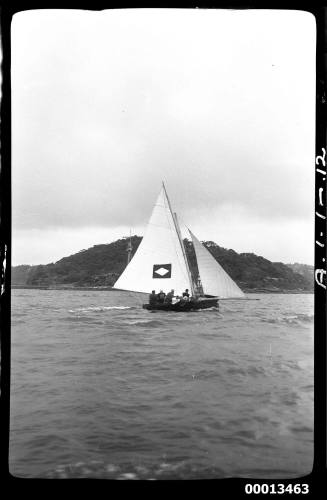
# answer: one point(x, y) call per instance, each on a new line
point(160, 263)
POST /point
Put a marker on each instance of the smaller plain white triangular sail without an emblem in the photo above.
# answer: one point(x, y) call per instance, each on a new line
point(215, 281)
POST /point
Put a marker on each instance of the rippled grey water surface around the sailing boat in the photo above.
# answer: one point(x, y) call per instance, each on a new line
point(102, 388)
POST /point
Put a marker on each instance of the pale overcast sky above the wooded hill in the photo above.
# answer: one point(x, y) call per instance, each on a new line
point(219, 104)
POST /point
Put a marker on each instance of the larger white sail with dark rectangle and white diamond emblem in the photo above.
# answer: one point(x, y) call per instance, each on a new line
point(158, 263)
